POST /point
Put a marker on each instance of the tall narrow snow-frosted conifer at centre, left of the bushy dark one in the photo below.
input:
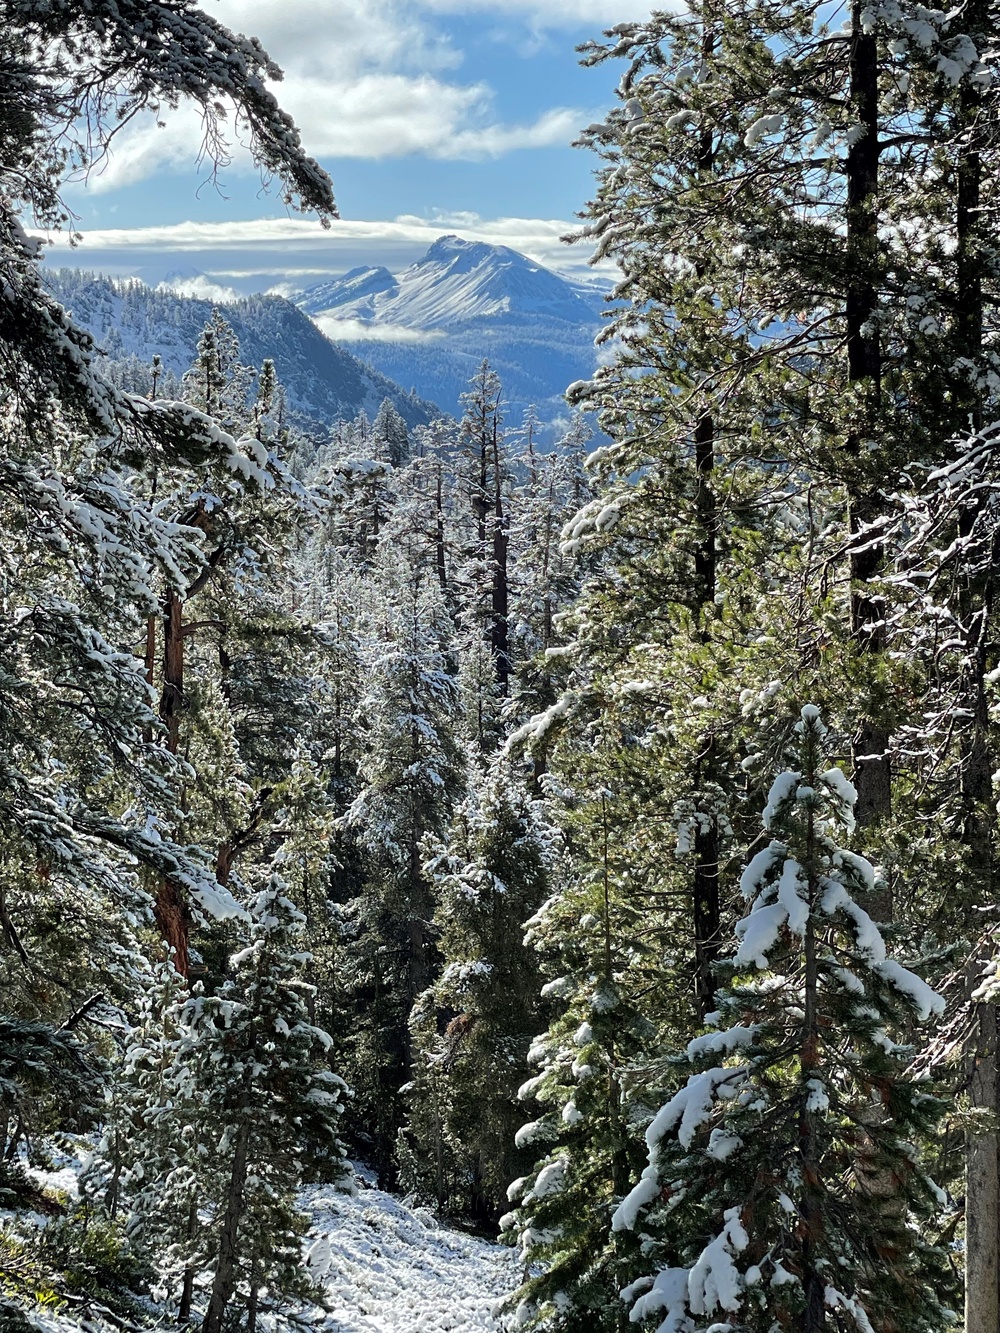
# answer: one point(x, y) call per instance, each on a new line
point(410, 768)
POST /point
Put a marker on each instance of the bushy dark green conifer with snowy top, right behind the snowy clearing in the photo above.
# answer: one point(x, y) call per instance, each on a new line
point(473, 1028)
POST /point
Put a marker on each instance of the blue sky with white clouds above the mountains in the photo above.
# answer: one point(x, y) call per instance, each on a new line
point(454, 115)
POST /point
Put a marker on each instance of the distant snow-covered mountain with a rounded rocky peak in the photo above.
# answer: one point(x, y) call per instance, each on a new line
point(431, 325)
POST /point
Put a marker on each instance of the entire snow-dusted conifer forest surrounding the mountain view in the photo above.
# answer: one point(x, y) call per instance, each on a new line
point(591, 842)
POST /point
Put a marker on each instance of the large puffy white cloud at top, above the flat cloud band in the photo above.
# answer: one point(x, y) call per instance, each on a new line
point(365, 79)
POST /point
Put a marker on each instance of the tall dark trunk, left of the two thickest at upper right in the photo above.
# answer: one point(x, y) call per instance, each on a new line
point(873, 776)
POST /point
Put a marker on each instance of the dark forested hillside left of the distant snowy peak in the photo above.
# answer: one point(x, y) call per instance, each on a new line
point(323, 382)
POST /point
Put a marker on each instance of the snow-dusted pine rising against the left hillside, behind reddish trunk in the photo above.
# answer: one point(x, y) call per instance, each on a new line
point(231, 647)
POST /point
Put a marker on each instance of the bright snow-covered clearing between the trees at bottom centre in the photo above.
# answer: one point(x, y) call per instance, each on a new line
point(390, 1268)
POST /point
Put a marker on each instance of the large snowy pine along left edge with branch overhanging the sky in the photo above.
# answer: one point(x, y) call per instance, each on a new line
point(89, 788)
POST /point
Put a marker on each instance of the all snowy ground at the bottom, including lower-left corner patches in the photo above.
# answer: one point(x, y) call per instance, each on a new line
point(386, 1266)
